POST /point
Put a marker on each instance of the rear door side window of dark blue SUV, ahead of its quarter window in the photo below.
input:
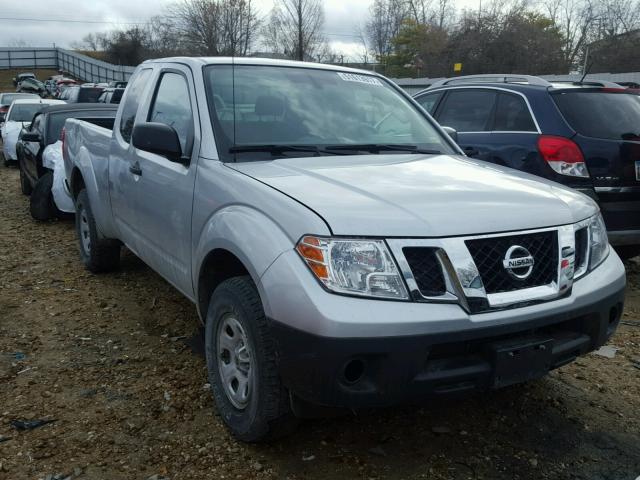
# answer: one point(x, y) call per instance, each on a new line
point(468, 110)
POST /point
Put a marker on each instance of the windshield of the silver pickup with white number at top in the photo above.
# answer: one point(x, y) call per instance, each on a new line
point(274, 106)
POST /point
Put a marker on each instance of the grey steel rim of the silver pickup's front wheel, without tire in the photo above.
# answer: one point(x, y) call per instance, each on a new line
point(234, 358)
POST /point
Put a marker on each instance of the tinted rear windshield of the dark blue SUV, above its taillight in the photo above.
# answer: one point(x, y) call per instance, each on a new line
point(598, 114)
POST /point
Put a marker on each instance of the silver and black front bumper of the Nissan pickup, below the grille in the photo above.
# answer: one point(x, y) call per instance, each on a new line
point(349, 352)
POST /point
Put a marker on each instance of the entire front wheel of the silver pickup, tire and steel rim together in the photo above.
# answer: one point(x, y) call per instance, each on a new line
point(241, 360)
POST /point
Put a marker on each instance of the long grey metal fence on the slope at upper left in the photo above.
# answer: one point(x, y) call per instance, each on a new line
point(72, 63)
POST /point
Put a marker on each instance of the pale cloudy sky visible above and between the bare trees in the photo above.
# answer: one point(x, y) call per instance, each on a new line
point(34, 23)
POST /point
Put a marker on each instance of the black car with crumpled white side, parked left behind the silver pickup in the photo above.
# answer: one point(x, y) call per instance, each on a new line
point(45, 129)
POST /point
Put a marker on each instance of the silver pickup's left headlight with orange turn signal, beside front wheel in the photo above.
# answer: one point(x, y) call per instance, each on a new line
point(356, 267)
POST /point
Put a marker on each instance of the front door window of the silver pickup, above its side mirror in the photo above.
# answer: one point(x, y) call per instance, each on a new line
point(172, 106)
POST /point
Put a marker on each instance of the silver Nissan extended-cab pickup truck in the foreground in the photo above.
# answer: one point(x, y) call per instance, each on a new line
point(339, 247)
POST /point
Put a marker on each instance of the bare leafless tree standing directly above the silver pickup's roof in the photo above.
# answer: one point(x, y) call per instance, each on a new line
point(295, 28)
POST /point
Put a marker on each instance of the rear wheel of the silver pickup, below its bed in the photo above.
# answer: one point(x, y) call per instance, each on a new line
point(98, 255)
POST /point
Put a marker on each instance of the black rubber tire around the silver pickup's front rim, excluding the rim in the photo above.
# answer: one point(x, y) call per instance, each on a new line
point(267, 414)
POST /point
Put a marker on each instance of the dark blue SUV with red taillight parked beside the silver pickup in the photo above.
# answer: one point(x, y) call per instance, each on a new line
point(585, 135)
